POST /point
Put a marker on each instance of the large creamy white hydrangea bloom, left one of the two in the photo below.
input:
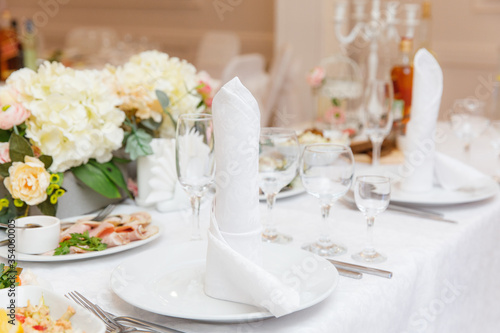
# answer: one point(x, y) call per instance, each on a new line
point(74, 114)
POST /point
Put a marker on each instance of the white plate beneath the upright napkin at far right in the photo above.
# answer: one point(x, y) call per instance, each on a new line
point(440, 197)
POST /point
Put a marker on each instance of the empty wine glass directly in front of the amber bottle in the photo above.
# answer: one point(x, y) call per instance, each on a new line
point(378, 114)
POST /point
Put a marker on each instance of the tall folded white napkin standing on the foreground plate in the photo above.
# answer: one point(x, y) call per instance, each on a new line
point(234, 269)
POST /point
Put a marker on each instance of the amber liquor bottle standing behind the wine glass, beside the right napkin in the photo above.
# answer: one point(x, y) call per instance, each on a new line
point(402, 80)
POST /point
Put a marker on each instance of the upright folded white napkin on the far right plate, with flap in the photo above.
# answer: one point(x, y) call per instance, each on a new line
point(425, 168)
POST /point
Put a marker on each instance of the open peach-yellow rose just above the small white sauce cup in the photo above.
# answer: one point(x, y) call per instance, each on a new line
point(28, 181)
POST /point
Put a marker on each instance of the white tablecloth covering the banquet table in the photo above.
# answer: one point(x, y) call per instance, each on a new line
point(446, 277)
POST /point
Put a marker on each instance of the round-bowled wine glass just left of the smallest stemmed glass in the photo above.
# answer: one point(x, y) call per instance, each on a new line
point(326, 171)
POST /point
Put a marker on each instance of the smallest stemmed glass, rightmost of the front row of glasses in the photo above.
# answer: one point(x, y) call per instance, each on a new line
point(372, 195)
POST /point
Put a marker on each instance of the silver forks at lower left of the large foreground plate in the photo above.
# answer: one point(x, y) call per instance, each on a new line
point(119, 324)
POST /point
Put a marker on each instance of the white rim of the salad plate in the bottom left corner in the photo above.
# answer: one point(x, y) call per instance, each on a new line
point(82, 320)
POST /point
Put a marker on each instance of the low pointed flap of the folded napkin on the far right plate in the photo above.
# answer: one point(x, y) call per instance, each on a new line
point(451, 174)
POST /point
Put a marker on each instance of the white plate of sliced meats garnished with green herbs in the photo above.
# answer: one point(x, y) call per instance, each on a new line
point(87, 239)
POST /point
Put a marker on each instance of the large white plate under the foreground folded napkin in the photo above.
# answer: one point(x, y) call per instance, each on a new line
point(173, 285)
